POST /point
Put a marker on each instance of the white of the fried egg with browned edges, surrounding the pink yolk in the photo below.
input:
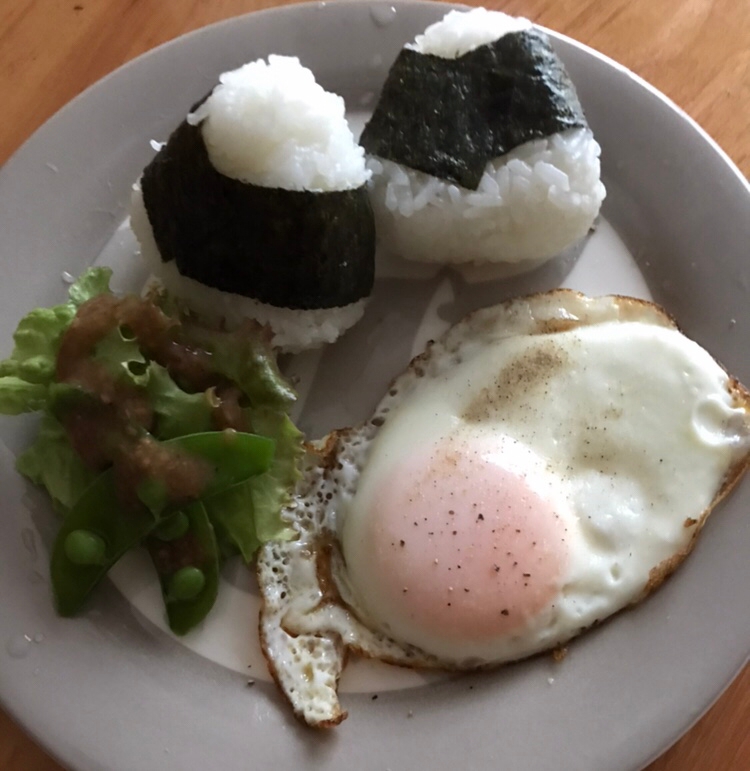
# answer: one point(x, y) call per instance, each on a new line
point(634, 431)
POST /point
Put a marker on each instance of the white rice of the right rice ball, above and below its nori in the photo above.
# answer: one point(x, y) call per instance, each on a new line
point(531, 204)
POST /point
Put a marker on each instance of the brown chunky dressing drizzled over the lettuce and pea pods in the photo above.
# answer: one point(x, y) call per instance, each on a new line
point(108, 425)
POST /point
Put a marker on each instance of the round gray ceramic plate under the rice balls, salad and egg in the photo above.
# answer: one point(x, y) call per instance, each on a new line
point(112, 691)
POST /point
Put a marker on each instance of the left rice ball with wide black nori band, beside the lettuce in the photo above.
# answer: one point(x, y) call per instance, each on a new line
point(256, 207)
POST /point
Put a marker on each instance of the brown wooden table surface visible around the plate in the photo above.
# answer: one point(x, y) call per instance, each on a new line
point(695, 51)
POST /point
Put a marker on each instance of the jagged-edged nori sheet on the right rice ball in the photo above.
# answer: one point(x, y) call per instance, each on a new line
point(449, 117)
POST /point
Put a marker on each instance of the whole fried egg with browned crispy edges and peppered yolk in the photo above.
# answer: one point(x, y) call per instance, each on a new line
point(545, 464)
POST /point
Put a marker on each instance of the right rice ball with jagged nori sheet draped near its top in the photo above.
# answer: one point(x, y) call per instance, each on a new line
point(479, 147)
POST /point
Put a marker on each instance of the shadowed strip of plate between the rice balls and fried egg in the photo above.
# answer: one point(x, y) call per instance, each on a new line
point(341, 384)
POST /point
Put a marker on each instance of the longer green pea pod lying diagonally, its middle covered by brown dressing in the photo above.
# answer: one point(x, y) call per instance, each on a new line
point(99, 529)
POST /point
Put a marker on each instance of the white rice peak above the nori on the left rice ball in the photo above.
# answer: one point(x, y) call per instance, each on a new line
point(271, 124)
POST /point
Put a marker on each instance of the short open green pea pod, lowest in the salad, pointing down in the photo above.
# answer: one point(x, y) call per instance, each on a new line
point(188, 569)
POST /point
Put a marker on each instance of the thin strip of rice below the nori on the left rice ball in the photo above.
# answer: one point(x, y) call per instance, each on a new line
point(293, 330)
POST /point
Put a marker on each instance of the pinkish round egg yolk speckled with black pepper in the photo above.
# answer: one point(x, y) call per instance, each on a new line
point(466, 543)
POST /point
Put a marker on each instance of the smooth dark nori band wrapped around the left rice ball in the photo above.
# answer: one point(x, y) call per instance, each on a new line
point(289, 248)
